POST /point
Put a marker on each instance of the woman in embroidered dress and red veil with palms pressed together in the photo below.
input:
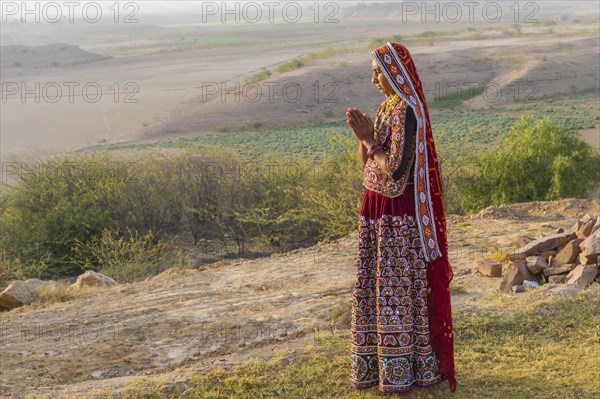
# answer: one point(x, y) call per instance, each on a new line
point(402, 335)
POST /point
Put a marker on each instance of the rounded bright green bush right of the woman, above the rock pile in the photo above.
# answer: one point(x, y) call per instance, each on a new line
point(535, 161)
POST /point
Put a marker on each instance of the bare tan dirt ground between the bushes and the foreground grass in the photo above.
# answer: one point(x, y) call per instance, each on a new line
point(228, 312)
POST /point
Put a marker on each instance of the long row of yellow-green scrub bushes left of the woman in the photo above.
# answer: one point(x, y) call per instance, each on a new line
point(116, 219)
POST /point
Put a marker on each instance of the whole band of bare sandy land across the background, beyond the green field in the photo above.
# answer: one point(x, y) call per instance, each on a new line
point(166, 96)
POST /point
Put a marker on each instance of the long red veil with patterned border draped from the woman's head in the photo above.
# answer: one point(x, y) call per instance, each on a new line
point(398, 66)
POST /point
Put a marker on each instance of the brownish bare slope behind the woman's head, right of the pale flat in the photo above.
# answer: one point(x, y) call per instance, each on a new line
point(345, 81)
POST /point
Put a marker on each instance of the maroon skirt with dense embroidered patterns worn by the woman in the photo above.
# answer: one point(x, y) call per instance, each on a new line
point(390, 346)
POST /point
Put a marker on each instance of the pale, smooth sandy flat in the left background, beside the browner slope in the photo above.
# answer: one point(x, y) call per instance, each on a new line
point(132, 92)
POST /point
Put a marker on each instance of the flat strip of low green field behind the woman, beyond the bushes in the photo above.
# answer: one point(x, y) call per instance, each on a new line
point(449, 126)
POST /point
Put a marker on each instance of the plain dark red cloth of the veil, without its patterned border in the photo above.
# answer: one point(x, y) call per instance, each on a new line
point(439, 271)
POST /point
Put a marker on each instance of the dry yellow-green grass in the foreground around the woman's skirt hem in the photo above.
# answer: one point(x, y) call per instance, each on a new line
point(519, 349)
